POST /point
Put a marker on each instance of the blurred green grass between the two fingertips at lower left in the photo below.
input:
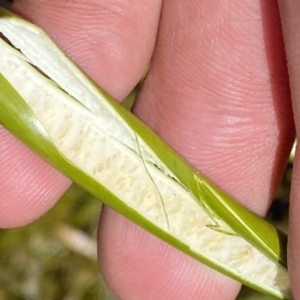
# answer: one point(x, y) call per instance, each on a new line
point(49, 259)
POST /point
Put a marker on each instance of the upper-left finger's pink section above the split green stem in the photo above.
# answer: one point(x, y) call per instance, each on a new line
point(111, 40)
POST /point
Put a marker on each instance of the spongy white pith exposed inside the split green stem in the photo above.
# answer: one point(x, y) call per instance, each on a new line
point(96, 139)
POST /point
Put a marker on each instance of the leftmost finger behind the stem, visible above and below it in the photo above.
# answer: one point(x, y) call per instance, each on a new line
point(113, 41)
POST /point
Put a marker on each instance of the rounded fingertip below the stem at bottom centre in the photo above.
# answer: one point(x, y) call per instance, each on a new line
point(137, 265)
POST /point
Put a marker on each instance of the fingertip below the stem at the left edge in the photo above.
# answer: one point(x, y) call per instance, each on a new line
point(29, 187)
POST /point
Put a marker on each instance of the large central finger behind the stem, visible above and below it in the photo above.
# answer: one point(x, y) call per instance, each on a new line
point(218, 93)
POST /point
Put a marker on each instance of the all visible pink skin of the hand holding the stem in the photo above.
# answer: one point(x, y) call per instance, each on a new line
point(218, 92)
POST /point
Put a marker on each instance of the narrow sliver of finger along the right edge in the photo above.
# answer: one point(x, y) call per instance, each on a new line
point(291, 23)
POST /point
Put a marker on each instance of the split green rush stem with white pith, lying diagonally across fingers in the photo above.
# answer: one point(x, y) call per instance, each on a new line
point(54, 108)
